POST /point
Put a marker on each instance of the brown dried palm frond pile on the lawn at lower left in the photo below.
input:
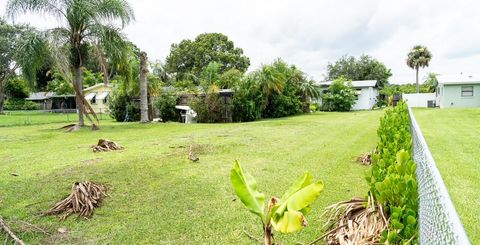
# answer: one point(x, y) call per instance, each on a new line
point(83, 200)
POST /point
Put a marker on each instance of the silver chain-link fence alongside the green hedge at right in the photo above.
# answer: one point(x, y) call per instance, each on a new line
point(438, 220)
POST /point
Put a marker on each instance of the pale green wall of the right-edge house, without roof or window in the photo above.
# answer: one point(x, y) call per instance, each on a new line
point(450, 96)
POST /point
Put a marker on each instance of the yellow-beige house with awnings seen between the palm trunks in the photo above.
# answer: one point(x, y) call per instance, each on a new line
point(98, 96)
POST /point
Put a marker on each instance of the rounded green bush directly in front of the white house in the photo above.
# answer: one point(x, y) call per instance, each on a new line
point(339, 97)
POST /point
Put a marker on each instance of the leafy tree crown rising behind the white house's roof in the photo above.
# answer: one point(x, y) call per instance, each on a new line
point(363, 68)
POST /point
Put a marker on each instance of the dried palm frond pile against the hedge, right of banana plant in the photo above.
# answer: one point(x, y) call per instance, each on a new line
point(358, 221)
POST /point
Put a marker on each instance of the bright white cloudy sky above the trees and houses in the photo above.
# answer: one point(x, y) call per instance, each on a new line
point(312, 33)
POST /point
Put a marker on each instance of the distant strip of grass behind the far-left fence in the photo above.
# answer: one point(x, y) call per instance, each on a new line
point(22, 118)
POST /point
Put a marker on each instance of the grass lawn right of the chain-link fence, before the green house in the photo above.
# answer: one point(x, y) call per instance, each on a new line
point(453, 136)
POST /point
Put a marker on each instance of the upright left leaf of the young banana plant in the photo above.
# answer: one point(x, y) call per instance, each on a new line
point(245, 187)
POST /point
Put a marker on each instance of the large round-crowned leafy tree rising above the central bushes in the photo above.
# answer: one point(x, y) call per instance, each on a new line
point(191, 57)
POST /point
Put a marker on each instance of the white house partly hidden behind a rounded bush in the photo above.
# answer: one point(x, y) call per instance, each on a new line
point(366, 92)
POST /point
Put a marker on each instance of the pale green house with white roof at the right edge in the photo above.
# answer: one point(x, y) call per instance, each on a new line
point(457, 92)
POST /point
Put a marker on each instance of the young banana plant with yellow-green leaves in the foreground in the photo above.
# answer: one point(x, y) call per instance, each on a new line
point(286, 214)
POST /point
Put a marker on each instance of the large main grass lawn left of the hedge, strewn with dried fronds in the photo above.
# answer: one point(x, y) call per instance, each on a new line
point(159, 196)
